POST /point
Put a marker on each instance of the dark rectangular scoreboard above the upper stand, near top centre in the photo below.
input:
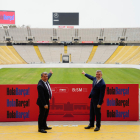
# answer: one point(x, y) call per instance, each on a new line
point(65, 18)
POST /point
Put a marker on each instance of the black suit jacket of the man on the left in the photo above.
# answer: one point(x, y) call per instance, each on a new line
point(43, 95)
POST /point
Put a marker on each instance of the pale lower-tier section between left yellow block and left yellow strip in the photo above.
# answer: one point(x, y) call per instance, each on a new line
point(27, 52)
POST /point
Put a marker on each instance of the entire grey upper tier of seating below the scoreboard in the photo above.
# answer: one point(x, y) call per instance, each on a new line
point(109, 35)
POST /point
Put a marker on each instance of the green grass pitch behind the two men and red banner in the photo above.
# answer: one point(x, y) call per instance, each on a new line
point(69, 75)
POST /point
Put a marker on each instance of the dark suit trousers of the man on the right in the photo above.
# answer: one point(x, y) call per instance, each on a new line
point(94, 111)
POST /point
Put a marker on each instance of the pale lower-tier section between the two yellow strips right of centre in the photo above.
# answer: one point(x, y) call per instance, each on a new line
point(102, 53)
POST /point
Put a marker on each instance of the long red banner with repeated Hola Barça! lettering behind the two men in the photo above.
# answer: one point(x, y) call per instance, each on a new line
point(69, 102)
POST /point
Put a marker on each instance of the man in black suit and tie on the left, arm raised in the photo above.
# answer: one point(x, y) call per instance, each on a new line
point(44, 95)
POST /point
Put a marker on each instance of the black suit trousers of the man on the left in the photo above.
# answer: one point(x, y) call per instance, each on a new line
point(43, 114)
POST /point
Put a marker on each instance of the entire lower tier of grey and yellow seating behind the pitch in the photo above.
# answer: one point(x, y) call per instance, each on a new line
point(108, 54)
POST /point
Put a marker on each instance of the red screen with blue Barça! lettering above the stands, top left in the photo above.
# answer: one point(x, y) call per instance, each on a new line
point(7, 17)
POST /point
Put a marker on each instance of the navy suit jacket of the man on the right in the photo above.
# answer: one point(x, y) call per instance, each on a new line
point(98, 90)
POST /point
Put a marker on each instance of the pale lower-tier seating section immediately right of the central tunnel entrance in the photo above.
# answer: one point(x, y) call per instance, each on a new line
point(79, 53)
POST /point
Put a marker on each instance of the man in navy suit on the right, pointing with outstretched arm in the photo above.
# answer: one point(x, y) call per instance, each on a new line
point(96, 95)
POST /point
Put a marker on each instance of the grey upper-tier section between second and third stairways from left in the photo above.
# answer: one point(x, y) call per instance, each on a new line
point(42, 34)
